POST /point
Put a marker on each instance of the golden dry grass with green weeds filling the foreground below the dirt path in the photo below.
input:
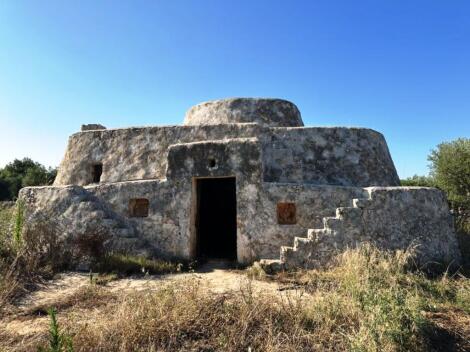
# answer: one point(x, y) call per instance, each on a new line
point(368, 302)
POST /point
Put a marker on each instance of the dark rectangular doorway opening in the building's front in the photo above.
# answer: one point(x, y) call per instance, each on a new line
point(216, 219)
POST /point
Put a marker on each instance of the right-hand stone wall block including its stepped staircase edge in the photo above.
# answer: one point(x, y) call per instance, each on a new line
point(392, 218)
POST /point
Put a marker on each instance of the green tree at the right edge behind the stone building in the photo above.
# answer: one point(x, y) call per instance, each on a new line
point(450, 169)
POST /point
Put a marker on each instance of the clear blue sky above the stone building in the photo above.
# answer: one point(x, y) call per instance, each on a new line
point(400, 67)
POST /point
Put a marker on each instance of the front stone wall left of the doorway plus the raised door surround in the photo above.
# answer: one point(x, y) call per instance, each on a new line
point(167, 231)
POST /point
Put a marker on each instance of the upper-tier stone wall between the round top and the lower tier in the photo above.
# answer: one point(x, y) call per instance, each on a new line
point(336, 156)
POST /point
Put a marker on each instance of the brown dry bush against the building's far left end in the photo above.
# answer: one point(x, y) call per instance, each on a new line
point(32, 250)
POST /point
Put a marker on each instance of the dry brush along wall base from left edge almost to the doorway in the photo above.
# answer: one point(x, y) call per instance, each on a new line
point(35, 248)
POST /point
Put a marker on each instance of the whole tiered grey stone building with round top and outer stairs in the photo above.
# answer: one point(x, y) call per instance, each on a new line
point(242, 179)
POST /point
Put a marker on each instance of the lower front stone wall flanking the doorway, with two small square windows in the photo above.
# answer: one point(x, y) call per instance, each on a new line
point(167, 231)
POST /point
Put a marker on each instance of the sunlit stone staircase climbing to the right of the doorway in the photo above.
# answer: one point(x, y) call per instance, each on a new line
point(321, 244)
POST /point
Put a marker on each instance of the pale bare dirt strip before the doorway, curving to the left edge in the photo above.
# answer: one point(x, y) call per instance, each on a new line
point(29, 318)
